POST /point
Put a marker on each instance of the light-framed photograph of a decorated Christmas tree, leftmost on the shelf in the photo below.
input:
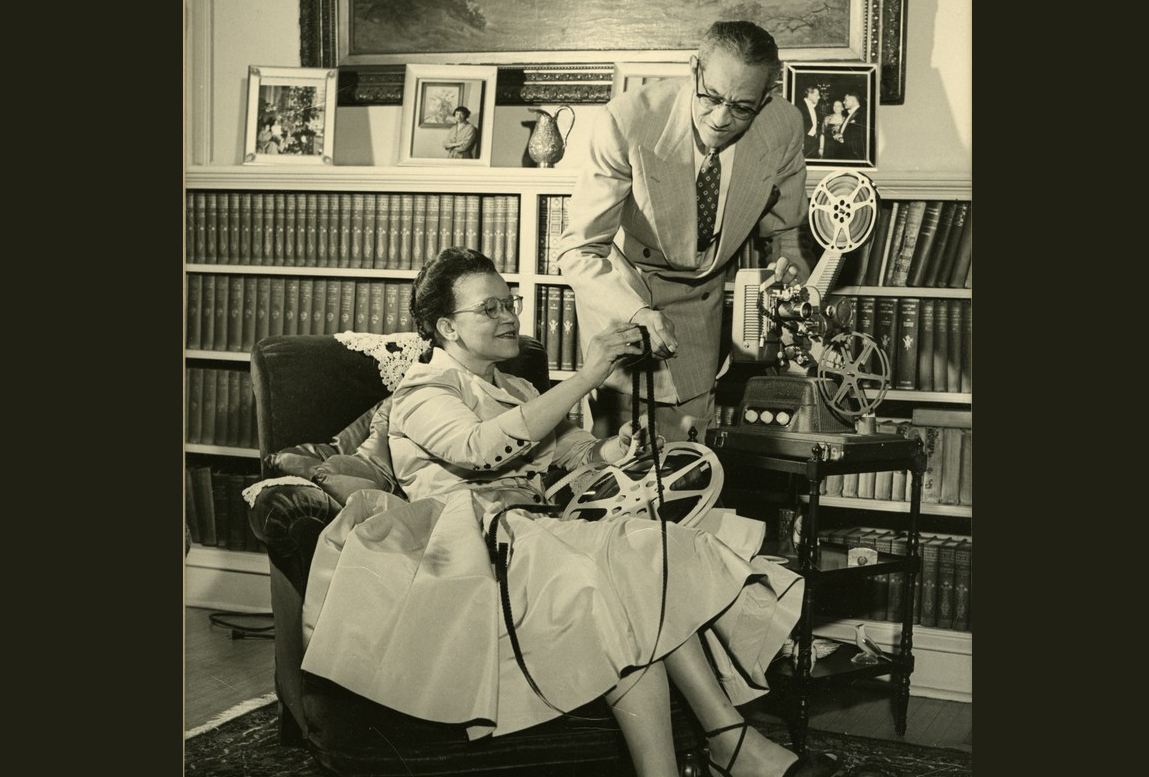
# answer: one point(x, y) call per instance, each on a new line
point(291, 116)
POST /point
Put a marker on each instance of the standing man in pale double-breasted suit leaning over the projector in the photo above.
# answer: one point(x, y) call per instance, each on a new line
point(678, 176)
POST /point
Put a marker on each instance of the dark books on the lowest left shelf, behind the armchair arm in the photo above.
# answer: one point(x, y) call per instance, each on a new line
point(218, 516)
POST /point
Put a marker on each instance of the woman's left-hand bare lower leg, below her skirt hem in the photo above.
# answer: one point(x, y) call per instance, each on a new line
point(642, 705)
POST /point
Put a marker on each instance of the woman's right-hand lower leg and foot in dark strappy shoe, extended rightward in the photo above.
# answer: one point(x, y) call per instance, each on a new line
point(692, 675)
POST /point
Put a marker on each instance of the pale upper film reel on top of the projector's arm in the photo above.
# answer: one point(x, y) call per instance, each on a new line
point(844, 211)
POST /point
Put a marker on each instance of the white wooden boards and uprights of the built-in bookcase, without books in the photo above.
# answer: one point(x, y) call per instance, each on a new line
point(534, 191)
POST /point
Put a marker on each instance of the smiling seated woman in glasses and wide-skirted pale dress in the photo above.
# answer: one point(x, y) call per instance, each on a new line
point(403, 603)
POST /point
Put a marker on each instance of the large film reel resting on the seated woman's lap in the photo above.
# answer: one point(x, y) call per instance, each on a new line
point(692, 479)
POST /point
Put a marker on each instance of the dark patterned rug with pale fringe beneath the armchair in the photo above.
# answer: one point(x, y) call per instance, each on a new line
point(245, 744)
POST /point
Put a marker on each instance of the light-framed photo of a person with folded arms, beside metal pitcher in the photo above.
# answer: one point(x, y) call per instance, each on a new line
point(449, 116)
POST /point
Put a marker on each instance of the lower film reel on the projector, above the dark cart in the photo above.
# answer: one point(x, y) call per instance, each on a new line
point(854, 374)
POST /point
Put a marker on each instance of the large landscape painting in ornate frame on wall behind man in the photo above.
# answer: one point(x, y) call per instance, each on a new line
point(364, 37)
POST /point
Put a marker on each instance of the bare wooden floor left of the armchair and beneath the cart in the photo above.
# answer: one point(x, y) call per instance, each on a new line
point(222, 673)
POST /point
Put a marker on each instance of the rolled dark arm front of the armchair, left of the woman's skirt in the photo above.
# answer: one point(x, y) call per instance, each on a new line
point(289, 520)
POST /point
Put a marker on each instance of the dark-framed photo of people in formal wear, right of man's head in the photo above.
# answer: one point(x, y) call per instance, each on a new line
point(839, 107)
